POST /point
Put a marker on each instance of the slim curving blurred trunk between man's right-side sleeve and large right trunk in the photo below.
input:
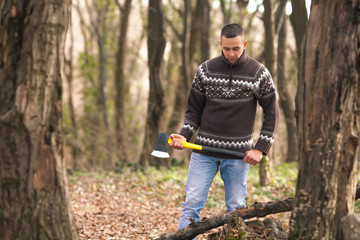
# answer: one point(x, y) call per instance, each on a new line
point(286, 101)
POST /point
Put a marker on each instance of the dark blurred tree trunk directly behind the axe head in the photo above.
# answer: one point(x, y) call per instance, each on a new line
point(156, 104)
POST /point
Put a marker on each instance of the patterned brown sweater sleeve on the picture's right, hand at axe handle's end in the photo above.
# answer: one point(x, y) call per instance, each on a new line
point(267, 98)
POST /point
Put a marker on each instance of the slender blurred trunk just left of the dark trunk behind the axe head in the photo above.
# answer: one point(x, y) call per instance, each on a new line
point(120, 83)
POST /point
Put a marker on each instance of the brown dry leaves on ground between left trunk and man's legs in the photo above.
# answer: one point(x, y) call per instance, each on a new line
point(114, 206)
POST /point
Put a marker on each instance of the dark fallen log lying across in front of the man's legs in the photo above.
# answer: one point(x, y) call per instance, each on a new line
point(256, 210)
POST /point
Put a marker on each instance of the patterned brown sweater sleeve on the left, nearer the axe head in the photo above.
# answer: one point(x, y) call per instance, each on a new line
point(195, 105)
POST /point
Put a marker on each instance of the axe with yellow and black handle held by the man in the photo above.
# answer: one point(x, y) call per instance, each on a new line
point(161, 152)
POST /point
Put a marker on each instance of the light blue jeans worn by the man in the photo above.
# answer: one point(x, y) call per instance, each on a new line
point(202, 171)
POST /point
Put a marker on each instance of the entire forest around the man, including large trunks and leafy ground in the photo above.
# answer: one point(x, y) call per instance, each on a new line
point(87, 85)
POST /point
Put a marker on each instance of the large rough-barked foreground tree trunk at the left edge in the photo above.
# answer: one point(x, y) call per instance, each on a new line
point(34, 201)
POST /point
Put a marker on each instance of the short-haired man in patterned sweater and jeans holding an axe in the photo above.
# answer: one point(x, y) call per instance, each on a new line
point(222, 105)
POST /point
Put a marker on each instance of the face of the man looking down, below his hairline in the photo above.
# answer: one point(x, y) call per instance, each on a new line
point(232, 47)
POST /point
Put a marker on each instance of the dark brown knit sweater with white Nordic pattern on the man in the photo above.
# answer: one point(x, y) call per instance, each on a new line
point(222, 105)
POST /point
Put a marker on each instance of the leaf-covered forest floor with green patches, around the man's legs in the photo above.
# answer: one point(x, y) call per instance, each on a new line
point(143, 205)
